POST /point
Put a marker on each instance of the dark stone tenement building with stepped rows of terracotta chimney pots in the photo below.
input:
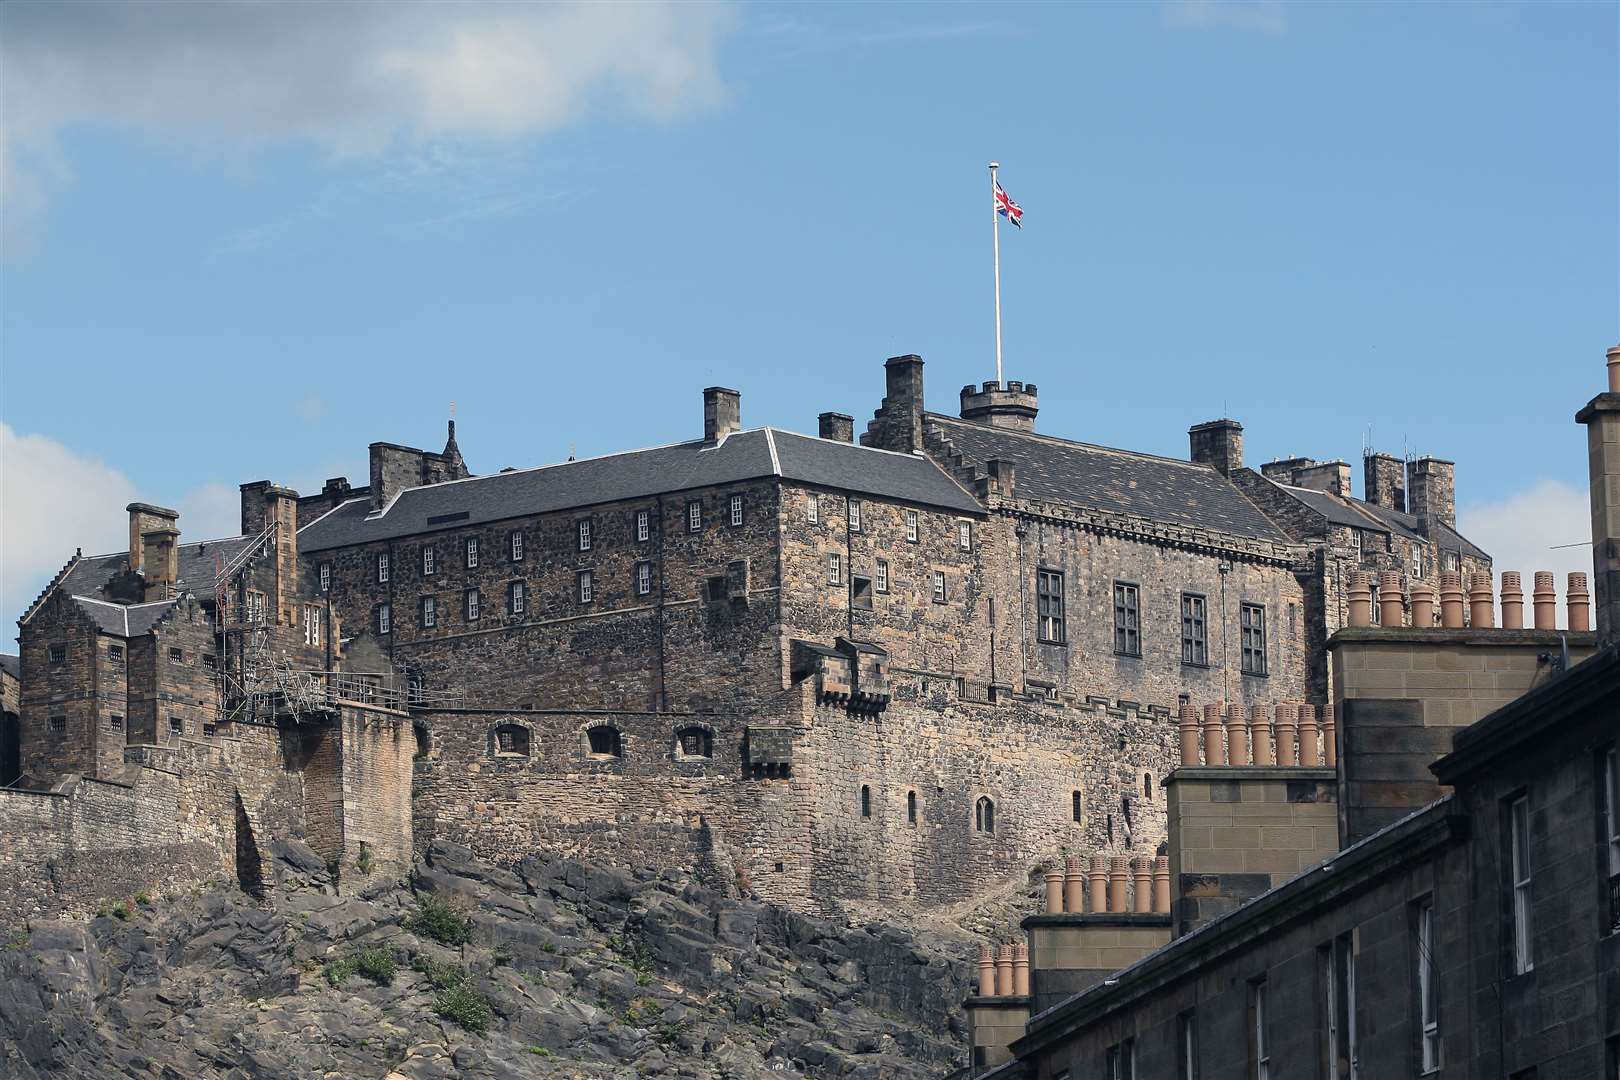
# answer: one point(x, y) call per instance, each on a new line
point(1425, 885)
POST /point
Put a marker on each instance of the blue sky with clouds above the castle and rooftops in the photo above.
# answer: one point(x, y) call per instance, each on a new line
point(245, 242)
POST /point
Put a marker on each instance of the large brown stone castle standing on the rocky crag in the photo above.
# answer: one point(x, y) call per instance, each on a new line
point(833, 673)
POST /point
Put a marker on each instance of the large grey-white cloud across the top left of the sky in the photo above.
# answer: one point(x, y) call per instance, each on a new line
point(352, 79)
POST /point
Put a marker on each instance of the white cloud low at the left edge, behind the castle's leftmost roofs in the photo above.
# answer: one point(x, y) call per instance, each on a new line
point(54, 501)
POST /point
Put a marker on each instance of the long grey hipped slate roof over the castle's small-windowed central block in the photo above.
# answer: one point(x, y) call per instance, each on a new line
point(744, 456)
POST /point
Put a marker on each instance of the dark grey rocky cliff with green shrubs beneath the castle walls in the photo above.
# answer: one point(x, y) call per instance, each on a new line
point(552, 969)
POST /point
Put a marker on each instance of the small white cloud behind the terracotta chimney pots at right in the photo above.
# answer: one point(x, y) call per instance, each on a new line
point(1535, 530)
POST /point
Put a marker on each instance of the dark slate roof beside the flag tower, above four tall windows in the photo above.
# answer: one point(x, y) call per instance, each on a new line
point(1102, 478)
